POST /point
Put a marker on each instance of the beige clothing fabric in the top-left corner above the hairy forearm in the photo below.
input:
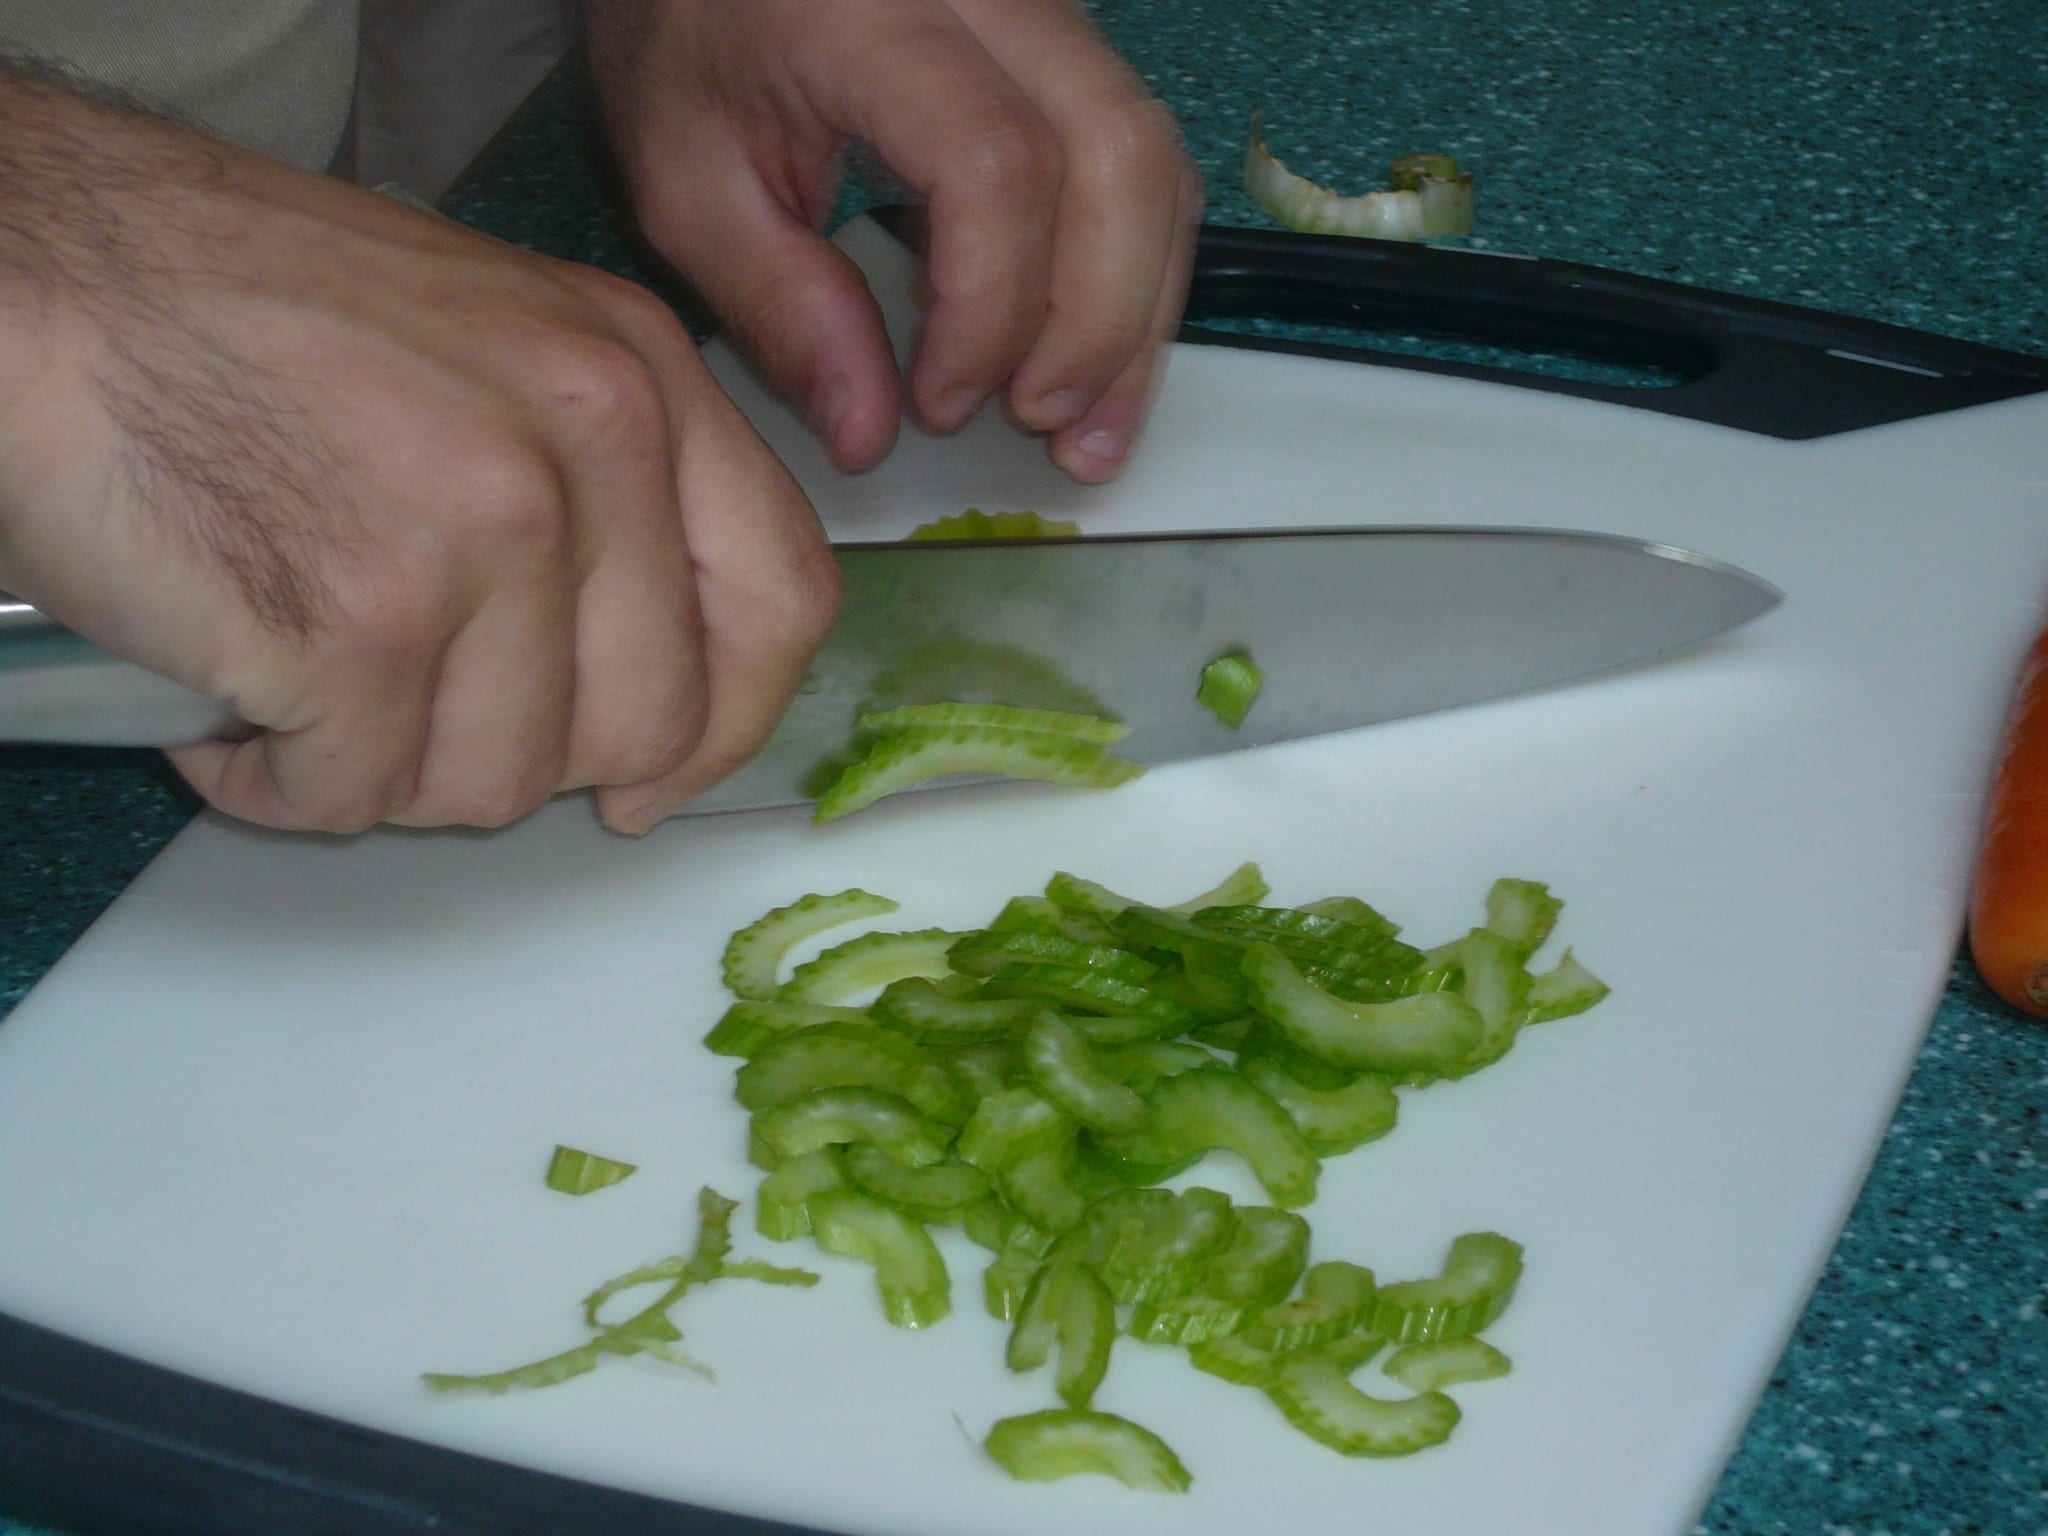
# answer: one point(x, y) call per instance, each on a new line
point(273, 75)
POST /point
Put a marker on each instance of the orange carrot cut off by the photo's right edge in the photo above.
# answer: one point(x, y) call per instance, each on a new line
point(2010, 892)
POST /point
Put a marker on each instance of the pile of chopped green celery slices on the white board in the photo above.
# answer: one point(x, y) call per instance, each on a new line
point(1035, 1082)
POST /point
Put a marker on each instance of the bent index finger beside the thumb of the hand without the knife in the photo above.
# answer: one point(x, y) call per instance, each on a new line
point(953, 124)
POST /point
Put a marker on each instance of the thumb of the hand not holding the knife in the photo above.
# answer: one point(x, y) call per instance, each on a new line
point(798, 304)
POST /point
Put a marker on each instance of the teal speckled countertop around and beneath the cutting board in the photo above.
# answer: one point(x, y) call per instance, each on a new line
point(1865, 157)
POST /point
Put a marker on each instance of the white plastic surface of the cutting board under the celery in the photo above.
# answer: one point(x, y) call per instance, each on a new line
point(282, 1117)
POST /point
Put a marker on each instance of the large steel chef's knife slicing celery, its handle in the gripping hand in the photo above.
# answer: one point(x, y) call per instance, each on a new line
point(1351, 628)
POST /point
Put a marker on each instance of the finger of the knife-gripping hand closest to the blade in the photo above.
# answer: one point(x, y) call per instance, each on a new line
point(767, 591)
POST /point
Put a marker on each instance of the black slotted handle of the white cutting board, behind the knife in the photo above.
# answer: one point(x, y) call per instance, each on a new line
point(1711, 357)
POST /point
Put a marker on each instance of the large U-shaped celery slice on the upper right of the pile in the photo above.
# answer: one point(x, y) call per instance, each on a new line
point(1424, 1035)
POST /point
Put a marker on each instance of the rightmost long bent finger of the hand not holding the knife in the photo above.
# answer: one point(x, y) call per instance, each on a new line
point(1121, 220)
